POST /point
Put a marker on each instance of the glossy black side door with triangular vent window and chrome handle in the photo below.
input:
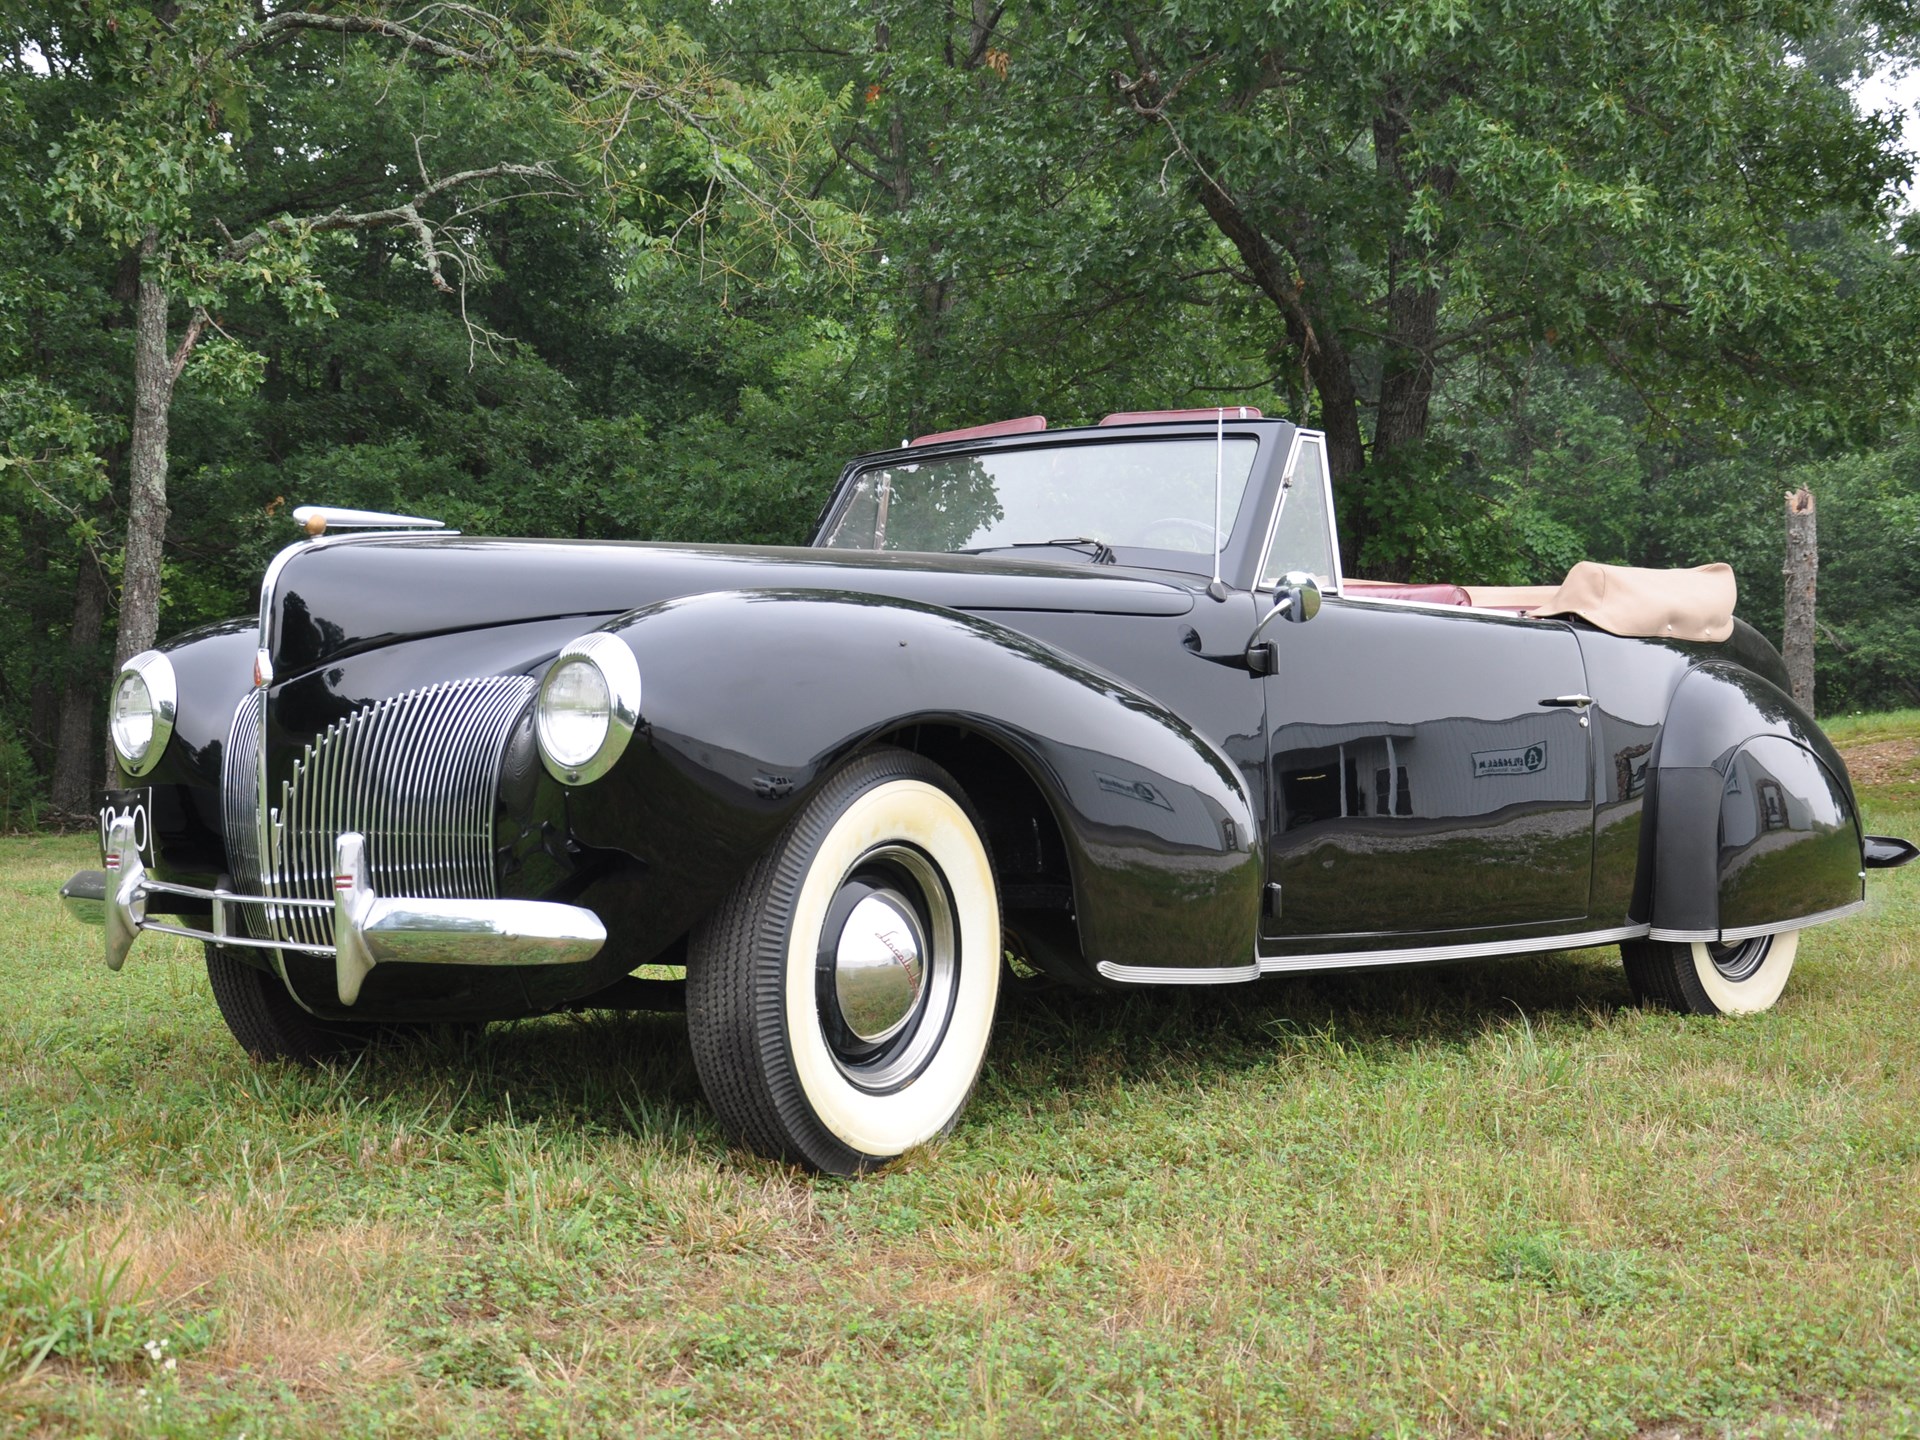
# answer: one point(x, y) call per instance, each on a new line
point(1429, 767)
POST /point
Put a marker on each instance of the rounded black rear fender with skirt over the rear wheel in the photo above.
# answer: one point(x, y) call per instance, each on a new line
point(1754, 819)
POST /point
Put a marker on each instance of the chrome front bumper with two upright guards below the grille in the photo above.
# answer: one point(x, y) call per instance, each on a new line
point(368, 928)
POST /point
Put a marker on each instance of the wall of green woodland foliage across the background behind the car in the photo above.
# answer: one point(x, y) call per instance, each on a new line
point(1662, 256)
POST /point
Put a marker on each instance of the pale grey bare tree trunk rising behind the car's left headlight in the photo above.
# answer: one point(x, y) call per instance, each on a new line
point(147, 466)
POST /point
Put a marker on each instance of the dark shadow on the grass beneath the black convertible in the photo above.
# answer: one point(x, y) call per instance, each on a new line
point(633, 1074)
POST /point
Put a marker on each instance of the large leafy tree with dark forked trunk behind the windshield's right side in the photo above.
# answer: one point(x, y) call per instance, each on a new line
point(1445, 183)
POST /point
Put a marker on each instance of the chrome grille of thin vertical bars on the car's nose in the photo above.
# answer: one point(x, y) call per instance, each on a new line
point(416, 775)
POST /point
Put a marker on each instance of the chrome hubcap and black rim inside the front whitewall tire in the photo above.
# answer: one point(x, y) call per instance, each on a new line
point(888, 967)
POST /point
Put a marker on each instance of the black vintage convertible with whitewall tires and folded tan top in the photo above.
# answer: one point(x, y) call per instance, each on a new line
point(1099, 700)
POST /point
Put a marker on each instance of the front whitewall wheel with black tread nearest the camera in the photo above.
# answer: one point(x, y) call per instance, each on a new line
point(840, 999)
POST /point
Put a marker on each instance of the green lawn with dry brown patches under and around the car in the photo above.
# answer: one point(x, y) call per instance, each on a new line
point(1462, 1201)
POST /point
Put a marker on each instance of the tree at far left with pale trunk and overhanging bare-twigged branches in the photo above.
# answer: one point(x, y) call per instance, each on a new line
point(166, 170)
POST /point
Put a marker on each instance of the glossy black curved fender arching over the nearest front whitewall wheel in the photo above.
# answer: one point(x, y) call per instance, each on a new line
point(750, 700)
